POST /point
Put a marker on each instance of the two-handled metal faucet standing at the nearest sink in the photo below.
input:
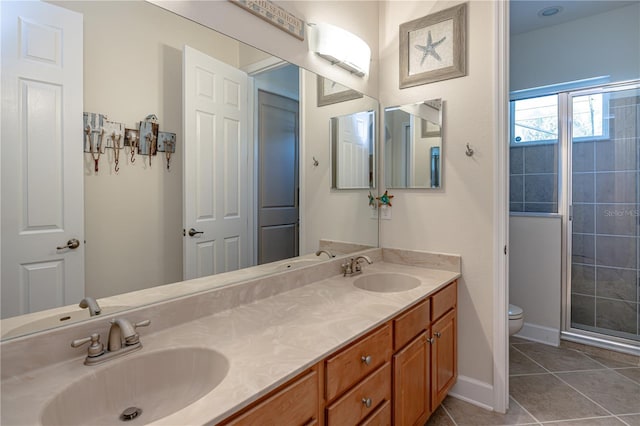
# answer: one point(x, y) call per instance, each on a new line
point(123, 339)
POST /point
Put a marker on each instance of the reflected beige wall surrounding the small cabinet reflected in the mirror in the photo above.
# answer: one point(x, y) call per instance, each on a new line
point(341, 215)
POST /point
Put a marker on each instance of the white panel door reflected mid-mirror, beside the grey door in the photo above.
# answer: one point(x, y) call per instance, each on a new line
point(215, 166)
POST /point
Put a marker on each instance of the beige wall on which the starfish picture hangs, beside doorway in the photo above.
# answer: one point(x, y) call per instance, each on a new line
point(459, 218)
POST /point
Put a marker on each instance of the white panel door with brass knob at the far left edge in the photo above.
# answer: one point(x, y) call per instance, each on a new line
point(42, 163)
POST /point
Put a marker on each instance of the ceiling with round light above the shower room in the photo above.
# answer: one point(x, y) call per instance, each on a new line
point(524, 13)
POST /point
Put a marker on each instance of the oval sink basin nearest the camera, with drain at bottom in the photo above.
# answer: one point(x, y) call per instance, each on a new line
point(159, 383)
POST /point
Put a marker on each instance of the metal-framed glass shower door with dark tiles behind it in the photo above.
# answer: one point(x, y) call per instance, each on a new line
point(604, 141)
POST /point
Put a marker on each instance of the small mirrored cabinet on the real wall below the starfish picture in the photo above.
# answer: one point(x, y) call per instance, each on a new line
point(413, 145)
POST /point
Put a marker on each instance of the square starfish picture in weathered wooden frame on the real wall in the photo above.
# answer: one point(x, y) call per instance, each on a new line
point(433, 48)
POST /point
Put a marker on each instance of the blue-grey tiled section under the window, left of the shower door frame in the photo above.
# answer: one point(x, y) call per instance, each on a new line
point(534, 178)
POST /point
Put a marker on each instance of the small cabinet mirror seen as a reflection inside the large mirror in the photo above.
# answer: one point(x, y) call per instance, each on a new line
point(353, 150)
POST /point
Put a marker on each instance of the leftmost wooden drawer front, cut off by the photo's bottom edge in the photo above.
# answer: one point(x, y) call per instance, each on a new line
point(296, 404)
